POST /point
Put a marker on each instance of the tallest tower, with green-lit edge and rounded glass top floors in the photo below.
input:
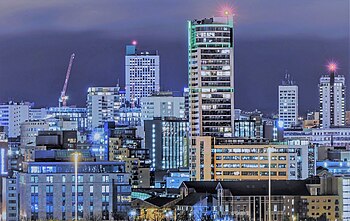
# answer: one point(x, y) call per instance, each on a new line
point(211, 76)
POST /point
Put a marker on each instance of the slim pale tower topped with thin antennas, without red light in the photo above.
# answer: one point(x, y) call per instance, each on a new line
point(288, 102)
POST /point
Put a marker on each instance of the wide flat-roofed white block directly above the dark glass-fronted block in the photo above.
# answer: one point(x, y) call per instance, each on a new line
point(162, 105)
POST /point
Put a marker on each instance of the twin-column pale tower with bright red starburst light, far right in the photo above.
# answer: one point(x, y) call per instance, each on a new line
point(332, 99)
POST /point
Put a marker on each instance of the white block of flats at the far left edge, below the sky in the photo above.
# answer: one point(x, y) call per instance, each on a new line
point(12, 115)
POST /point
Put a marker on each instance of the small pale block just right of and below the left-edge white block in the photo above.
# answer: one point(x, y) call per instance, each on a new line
point(29, 131)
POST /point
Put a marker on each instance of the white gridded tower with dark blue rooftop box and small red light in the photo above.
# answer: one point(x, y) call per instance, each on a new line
point(141, 74)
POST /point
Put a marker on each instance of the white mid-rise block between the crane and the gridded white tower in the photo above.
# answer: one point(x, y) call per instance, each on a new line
point(102, 105)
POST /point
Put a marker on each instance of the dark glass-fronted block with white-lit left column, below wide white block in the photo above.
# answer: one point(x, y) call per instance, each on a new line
point(167, 139)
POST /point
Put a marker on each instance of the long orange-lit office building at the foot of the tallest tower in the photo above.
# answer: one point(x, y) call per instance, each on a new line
point(247, 159)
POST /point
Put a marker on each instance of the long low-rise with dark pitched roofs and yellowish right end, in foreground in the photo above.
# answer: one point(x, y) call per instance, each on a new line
point(312, 198)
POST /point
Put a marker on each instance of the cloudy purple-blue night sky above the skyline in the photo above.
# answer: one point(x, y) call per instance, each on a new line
point(272, 36)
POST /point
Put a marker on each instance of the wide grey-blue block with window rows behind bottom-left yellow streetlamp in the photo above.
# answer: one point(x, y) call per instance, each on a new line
point(47, 190)
